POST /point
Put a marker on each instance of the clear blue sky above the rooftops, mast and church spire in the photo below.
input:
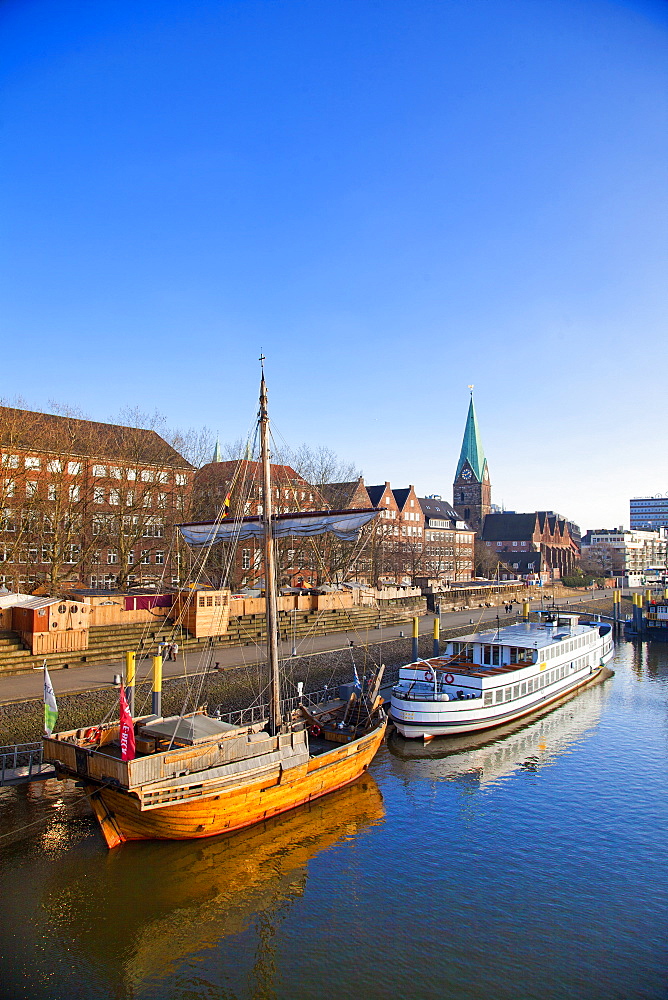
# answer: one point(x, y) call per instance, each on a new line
point(390, 198)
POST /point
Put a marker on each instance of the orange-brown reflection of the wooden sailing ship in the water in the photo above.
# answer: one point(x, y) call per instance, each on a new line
point(142, 911)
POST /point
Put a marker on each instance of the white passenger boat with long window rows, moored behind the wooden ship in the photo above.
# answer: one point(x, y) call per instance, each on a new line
point(490, 678)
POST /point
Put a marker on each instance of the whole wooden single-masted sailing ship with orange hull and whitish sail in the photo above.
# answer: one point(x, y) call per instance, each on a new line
point(195, 776)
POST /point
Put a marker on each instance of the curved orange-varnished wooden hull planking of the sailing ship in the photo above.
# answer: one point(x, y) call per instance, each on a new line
point(121, 817)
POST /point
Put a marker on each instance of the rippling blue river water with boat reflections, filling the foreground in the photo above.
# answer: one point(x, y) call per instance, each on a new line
point(530, 866)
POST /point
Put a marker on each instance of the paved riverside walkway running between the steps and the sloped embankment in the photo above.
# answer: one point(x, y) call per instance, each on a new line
point(23, 687)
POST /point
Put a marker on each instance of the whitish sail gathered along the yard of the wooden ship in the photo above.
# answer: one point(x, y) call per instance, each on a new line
point(346, 525)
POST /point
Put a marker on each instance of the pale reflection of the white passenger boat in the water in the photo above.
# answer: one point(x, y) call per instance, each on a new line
point(527, 744)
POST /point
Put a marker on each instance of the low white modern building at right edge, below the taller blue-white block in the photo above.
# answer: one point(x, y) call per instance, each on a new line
point(616, 551)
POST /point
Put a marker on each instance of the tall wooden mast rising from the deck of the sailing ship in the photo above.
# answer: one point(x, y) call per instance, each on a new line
point(269, 565)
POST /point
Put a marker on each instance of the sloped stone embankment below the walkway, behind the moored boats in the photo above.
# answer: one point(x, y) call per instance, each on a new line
point(233, 688)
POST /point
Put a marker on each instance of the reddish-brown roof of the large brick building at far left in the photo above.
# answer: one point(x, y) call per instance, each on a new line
point(49, 433)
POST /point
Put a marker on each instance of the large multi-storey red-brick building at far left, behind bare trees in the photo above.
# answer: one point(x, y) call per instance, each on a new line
point(87, 502)
